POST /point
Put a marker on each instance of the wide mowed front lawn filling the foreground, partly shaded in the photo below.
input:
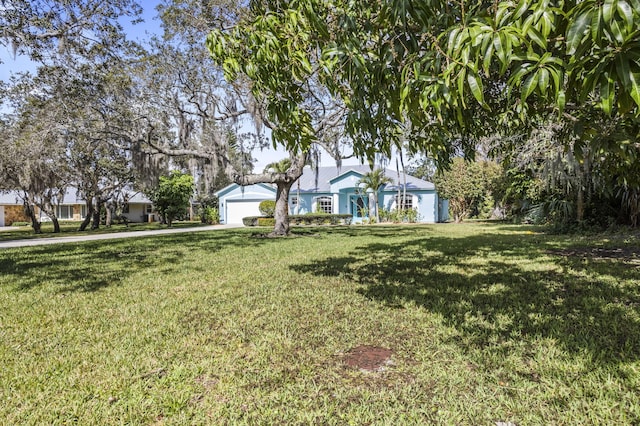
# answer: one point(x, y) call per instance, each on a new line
point(487, 323)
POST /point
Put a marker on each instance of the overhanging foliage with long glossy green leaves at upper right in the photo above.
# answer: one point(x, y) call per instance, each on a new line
point(436, 68)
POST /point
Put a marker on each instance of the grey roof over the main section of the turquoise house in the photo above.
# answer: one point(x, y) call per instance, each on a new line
point(321, 182)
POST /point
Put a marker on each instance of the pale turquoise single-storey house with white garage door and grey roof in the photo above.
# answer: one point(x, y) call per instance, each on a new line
point(333, 190)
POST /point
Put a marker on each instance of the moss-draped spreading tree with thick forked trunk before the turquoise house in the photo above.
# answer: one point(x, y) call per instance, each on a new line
point(199, 99)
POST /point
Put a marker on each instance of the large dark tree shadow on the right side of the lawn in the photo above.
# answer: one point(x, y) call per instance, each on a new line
point(496, 288)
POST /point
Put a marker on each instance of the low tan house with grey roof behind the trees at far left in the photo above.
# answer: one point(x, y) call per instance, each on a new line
point(71, 207)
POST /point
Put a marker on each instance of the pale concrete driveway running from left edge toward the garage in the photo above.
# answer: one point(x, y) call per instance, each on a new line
point(115, 235)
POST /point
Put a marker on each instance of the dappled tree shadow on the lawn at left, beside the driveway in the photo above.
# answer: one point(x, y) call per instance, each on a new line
point(94, 265)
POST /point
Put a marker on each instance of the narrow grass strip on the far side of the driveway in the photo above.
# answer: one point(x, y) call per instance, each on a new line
point(70, 228)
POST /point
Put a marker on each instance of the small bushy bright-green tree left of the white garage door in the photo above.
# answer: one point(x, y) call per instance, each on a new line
point(172, 197)
